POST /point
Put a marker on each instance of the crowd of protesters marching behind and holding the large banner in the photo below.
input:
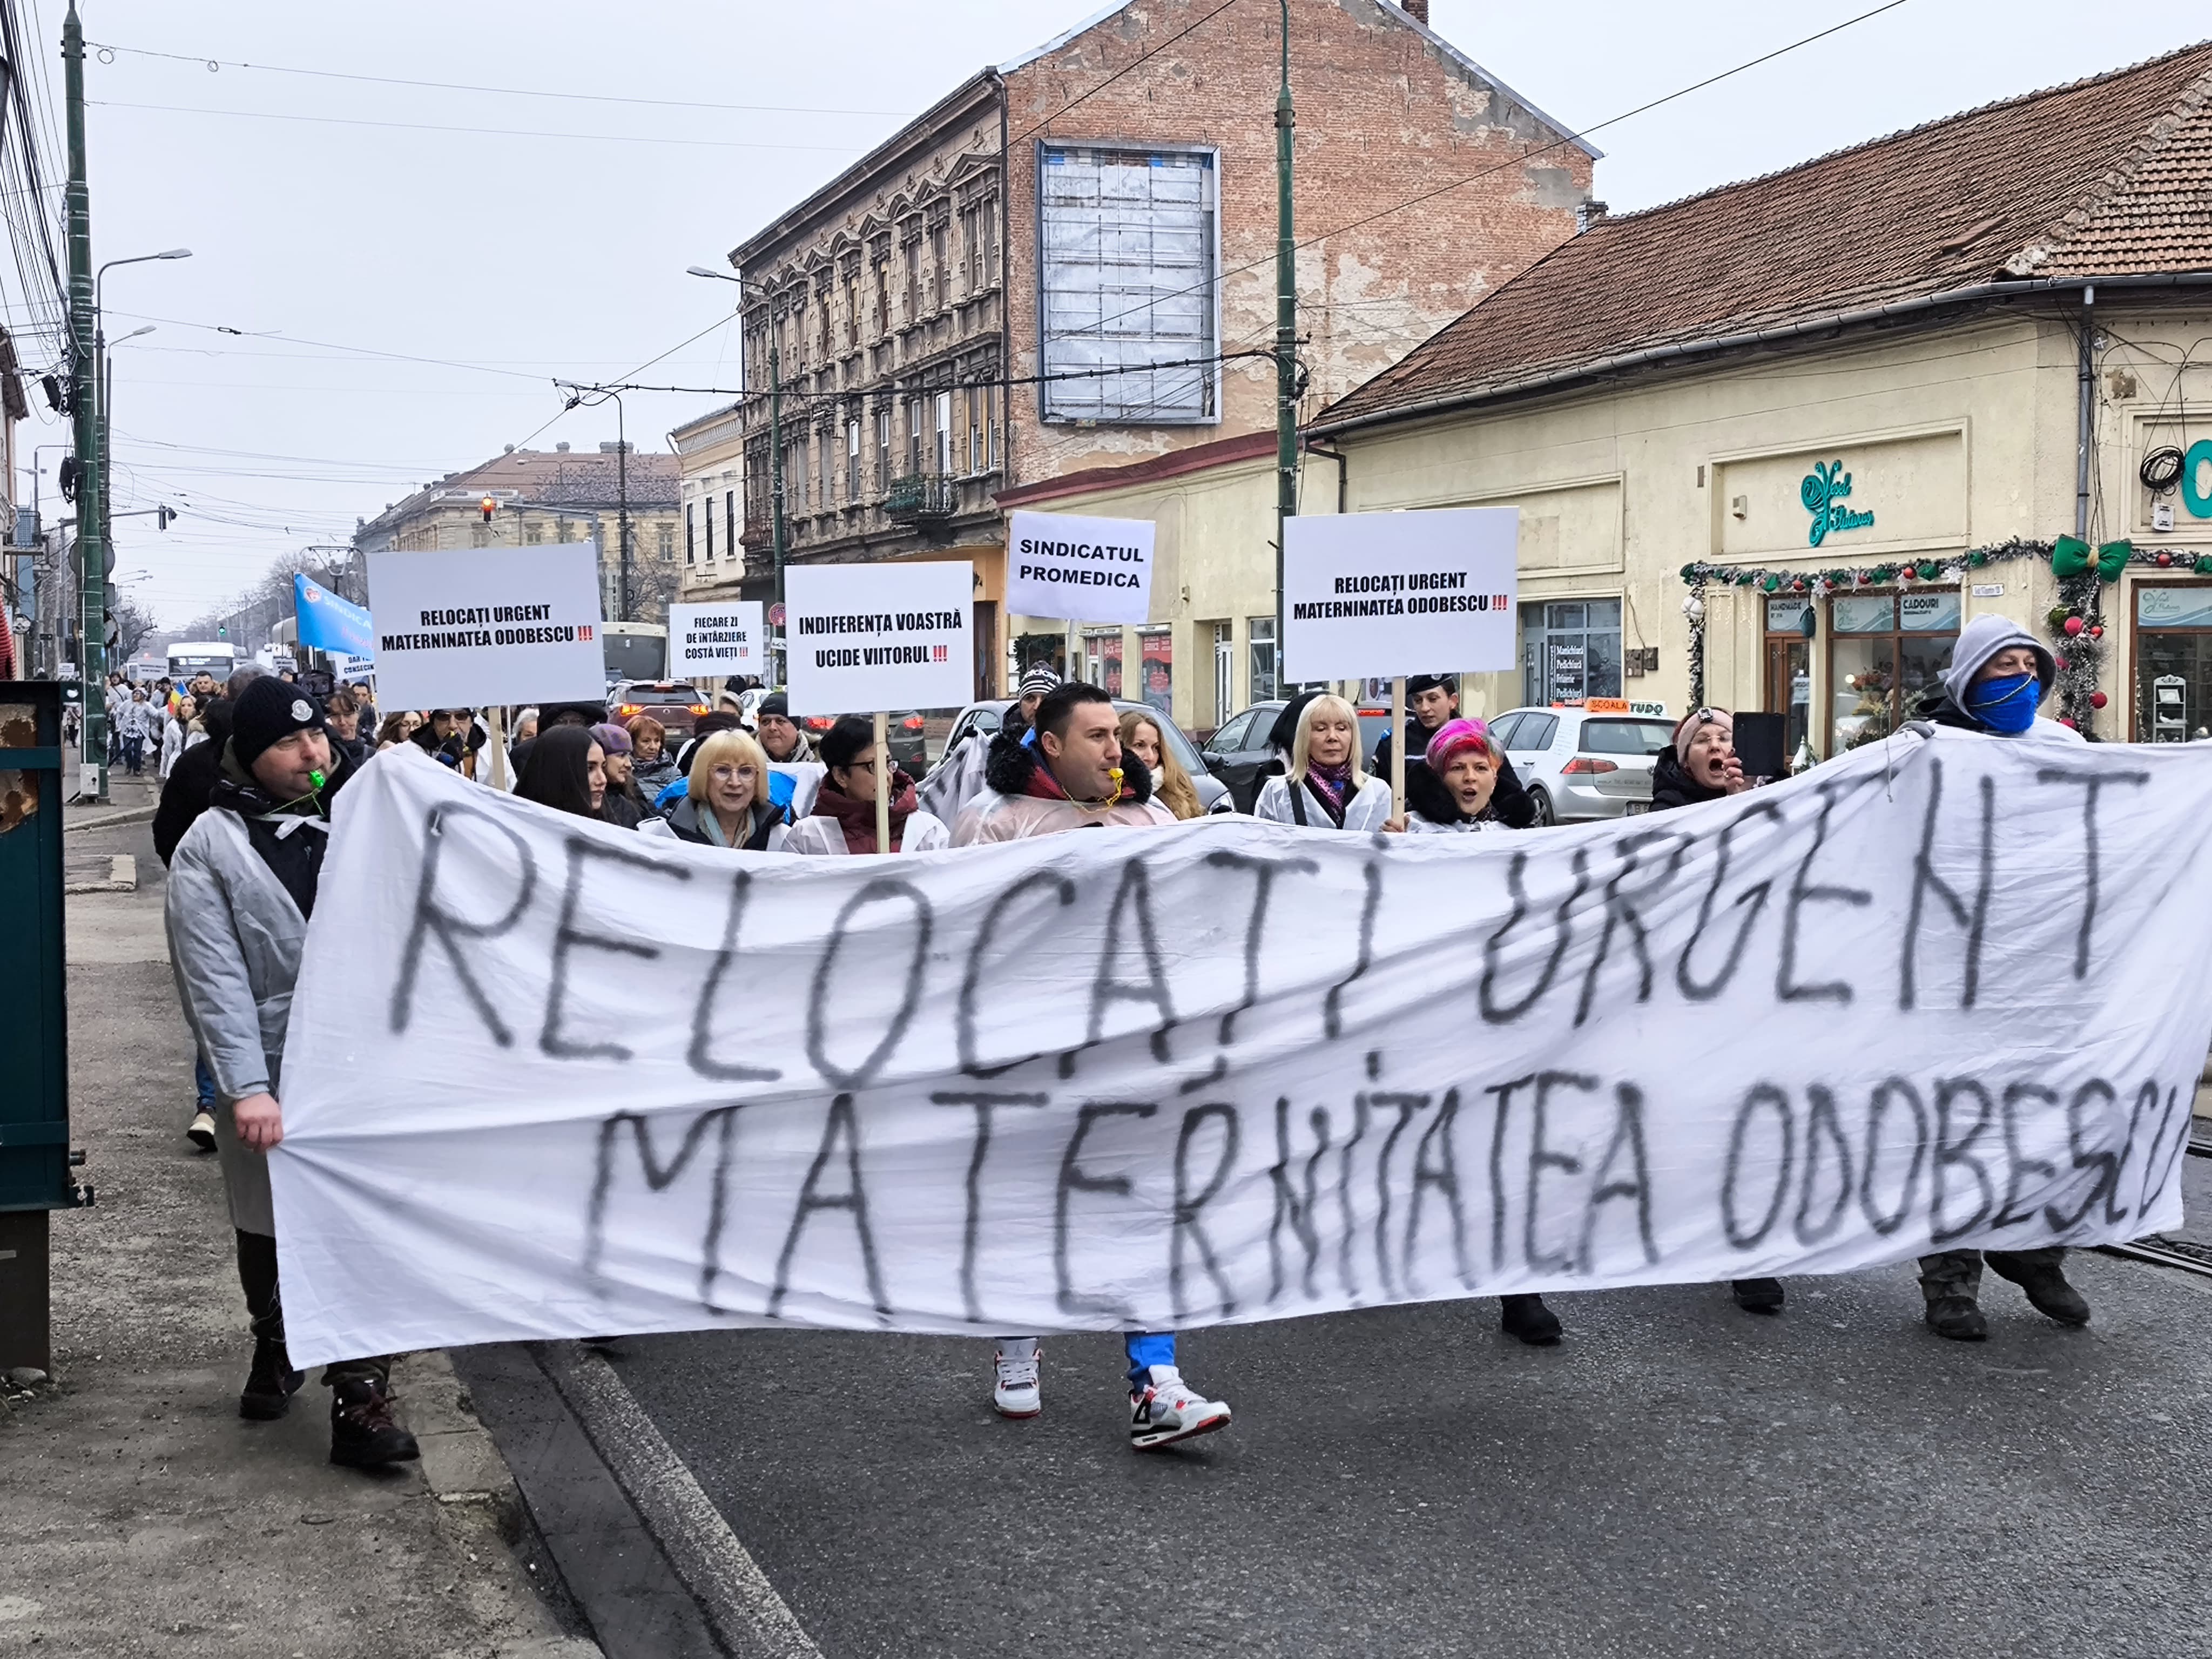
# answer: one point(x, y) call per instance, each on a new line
point(251, 771)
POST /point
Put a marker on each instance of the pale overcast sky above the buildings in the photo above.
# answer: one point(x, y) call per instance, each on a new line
point(328, 229)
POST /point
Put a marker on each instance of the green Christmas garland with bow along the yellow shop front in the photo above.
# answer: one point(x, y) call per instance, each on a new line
point(2076, 623)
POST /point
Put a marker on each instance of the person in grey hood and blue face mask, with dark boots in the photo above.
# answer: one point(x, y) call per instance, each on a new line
point(1999, 678)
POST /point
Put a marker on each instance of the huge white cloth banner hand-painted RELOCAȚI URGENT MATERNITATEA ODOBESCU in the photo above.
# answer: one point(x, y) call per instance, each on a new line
point(550, 1078)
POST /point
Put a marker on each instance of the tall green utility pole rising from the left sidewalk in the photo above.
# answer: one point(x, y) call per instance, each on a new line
point(85, 410)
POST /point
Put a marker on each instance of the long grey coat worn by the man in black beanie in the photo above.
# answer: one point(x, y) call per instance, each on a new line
point(233, 943)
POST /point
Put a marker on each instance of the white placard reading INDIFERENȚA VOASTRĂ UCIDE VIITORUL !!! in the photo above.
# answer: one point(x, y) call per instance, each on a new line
point(868, 638)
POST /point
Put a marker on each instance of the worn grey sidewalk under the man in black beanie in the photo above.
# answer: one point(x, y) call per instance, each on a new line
point(138, 1512)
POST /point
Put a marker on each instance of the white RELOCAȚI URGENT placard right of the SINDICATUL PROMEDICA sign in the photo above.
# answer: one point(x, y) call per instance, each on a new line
point(1401, 594)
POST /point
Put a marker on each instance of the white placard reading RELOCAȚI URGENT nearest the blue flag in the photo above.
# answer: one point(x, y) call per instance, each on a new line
point(488, 625)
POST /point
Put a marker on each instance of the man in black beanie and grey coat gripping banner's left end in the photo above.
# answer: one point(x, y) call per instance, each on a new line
point(240, 895)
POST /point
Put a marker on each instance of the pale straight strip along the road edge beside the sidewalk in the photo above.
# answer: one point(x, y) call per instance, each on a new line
point(731, 1587)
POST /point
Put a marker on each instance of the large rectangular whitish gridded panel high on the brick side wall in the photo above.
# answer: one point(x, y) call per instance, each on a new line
point(1129, 284)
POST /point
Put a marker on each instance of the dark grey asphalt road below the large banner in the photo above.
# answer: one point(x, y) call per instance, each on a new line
point(1676, 1479)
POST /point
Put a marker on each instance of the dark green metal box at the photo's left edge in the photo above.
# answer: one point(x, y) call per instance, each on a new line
point(36, 1162)
